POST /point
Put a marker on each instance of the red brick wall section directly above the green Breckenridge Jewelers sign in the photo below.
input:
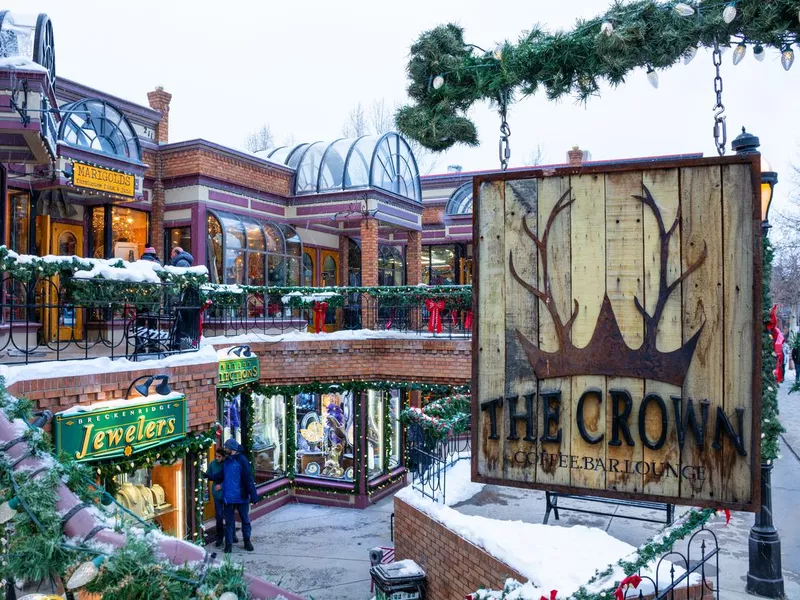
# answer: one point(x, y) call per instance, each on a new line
point(198, 382)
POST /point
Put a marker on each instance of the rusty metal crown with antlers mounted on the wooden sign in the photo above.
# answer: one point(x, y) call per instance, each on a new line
point(607, 352)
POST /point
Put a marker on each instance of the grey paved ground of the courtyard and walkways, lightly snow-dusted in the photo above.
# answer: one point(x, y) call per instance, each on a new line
point(321, 552)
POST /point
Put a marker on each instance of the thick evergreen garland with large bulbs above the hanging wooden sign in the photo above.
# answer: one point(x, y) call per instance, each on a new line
point(644, 34)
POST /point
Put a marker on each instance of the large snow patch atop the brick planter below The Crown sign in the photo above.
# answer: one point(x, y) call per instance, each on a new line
point(550, 557)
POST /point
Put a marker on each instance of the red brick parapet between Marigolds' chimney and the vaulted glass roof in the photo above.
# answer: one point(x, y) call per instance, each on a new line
point(195, 161)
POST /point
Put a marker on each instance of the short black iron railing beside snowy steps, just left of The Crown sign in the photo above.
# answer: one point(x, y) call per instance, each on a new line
point(429, 459)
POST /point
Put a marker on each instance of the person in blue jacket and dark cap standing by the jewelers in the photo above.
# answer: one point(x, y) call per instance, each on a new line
point(238, 492)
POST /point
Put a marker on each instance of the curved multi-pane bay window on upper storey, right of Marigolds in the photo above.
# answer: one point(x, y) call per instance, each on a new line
point(246, 251)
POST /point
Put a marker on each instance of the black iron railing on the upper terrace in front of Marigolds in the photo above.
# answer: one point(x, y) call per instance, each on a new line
point(47, 319)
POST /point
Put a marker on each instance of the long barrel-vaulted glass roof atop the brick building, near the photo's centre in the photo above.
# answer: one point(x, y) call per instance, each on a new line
point(385, 162)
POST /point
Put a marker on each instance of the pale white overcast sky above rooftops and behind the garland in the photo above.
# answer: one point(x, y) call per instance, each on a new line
point(301, 67)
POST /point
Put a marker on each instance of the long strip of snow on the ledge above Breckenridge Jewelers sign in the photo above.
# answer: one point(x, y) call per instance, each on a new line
point(73, 368)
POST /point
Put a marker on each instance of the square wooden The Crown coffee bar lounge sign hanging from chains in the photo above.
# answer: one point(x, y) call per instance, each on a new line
point(617, 350)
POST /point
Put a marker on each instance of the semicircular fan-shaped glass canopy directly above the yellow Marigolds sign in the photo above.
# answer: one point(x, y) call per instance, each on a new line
point(96, 125)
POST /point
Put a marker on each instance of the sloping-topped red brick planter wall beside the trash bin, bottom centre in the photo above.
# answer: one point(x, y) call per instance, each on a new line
point(453, 566)
